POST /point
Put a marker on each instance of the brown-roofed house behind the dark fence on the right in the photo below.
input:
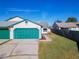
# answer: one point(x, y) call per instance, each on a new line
point(73, 26)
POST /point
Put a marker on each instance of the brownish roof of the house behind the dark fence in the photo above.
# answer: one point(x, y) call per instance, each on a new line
point(68, 25)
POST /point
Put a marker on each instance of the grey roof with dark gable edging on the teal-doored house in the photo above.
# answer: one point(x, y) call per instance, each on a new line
point(8, 23)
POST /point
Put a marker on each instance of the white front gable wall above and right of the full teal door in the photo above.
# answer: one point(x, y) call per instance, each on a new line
point(29, 25)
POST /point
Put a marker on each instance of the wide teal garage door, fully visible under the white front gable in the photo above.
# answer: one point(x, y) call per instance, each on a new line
point(26, 33)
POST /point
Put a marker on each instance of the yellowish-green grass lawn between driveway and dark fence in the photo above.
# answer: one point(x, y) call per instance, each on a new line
point(58, 48)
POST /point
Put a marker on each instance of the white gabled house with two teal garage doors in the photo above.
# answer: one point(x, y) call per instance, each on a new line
point(19, 28)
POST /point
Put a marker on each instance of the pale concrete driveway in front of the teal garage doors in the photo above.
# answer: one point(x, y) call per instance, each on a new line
point(19, 49)
